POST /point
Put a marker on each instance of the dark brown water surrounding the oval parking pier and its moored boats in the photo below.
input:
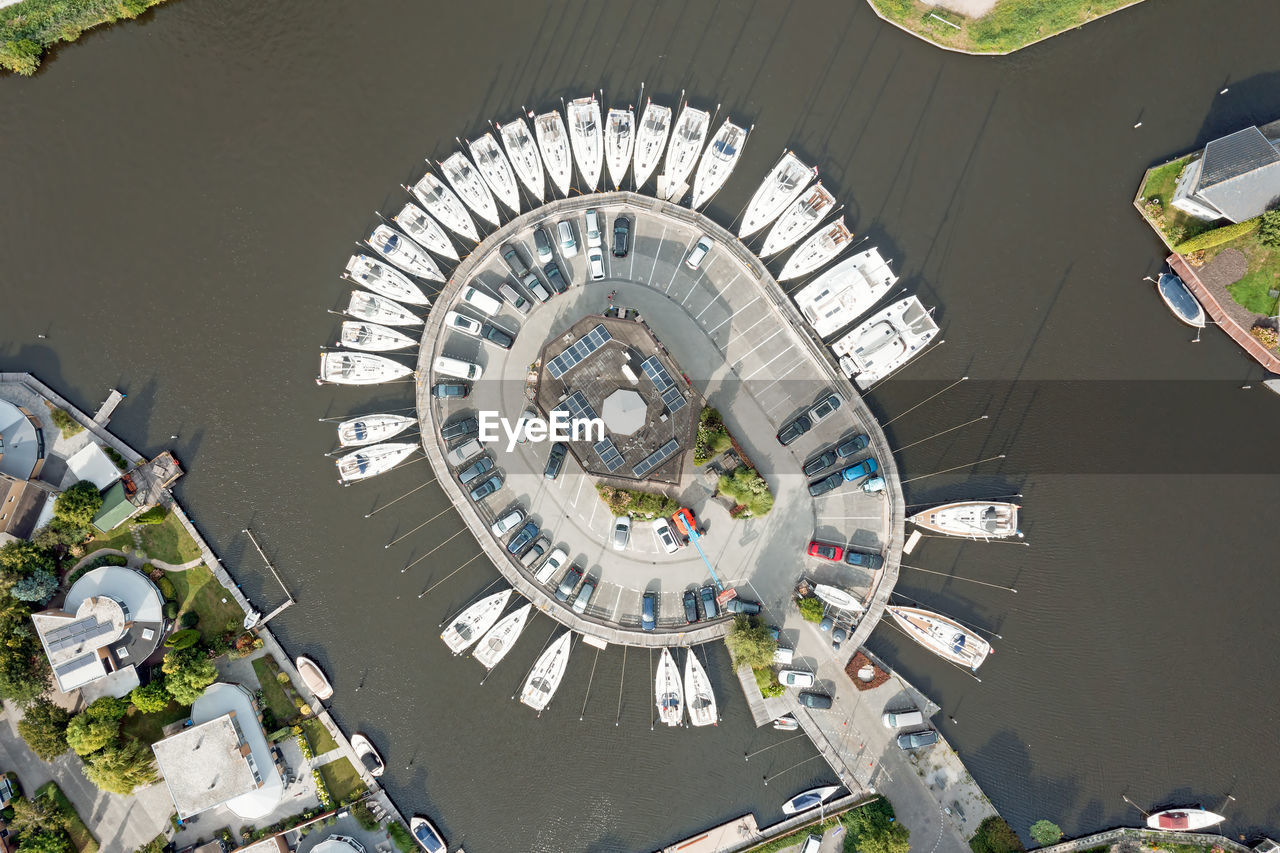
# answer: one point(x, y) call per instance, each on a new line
point(181, 194)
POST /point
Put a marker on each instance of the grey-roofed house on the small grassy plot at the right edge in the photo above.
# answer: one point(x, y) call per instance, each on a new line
point(1236, 177)
